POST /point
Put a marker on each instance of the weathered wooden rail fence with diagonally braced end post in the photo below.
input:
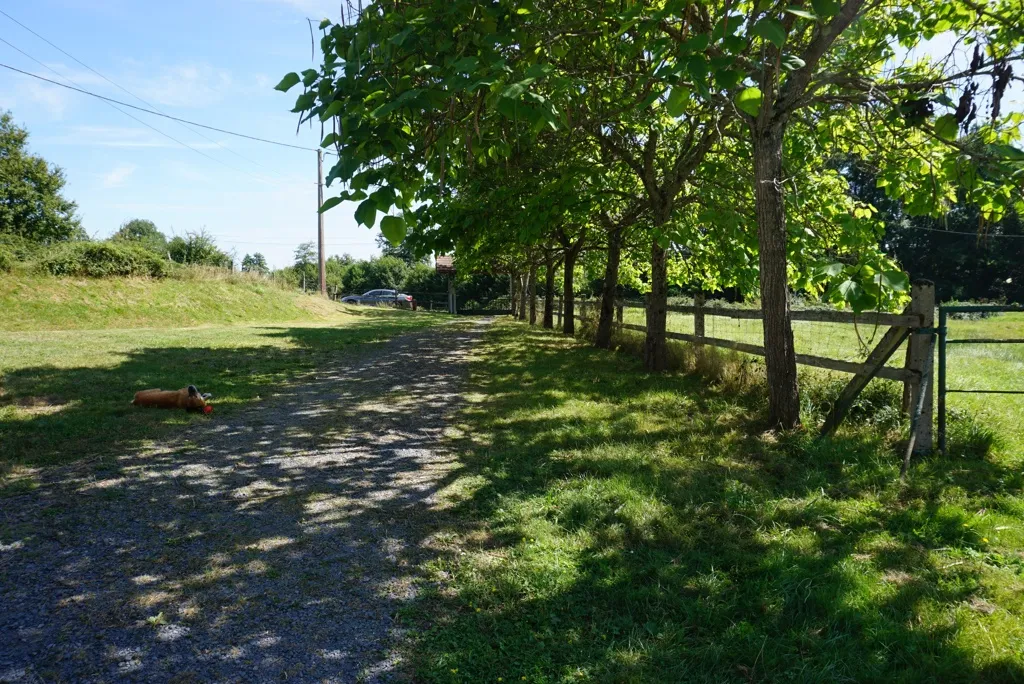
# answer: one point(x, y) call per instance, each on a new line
point(915, 324)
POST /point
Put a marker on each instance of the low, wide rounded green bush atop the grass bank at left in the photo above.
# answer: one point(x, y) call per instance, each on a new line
point(103, 261)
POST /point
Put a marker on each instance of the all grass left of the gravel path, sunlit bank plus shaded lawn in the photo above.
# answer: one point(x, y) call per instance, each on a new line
point(73, 353)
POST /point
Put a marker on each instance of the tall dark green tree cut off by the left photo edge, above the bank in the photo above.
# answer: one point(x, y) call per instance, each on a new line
point(31, 202)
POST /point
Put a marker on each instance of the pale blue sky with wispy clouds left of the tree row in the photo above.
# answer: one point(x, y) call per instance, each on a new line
point(215, 62)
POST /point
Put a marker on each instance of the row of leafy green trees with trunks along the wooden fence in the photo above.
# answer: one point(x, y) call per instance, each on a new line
point(704, 145)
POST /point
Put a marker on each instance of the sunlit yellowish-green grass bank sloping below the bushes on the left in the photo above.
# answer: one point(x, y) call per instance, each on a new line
point(42, 303)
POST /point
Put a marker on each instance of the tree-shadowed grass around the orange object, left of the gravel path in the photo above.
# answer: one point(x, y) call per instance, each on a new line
point(64, 415)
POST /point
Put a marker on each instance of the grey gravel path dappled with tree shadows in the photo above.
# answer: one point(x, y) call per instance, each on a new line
point(277, 545)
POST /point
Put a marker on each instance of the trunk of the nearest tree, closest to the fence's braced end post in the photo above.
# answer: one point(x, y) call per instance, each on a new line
point(781, 357)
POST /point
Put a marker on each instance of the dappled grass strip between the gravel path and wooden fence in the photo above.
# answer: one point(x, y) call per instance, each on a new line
point(612, 526)
